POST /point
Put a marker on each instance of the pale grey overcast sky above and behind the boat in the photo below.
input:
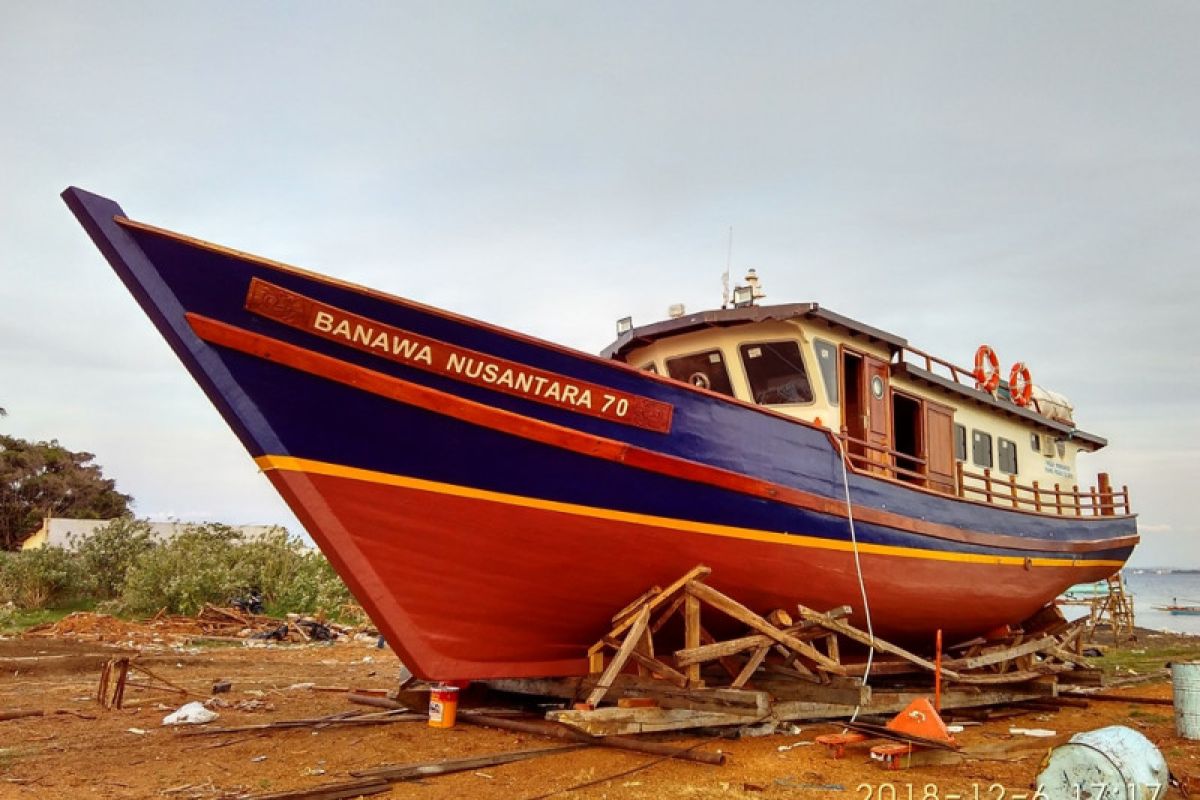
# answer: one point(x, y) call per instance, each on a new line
point(1025, 175)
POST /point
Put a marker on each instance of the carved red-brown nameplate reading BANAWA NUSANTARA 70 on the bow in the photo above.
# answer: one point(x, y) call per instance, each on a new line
point(460, 364)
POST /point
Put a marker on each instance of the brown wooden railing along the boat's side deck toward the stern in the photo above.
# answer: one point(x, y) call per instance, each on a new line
point(1101, 501)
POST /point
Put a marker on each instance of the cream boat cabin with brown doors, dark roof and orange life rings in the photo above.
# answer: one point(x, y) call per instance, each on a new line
point(898, 413)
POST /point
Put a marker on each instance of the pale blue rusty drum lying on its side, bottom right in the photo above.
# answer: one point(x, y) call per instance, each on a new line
point(1121, 760)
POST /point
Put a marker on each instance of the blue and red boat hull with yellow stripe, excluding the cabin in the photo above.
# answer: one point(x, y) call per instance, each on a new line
point(493, 530)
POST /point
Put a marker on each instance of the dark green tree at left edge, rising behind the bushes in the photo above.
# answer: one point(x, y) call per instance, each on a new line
point(44, 479)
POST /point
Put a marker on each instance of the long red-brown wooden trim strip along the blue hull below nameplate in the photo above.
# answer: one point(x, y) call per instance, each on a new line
point(297, 358)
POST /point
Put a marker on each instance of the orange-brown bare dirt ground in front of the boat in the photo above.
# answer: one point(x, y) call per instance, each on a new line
point(83, 751)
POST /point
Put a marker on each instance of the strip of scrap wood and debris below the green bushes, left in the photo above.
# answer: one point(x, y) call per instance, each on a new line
point(212, 622)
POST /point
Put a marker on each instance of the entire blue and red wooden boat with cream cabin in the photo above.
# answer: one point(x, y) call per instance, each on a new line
point(493, 498)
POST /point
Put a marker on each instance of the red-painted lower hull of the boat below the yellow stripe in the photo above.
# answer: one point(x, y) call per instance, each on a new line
point(467, 588)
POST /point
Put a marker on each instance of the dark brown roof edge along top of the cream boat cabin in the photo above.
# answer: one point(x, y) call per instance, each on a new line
point(650, 334)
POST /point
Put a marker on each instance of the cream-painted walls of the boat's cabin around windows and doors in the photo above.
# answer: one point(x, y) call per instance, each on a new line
point(1031, 465)
